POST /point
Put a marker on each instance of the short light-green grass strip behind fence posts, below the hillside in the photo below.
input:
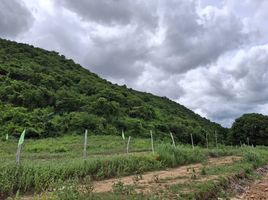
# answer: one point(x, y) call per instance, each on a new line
point(72, 145)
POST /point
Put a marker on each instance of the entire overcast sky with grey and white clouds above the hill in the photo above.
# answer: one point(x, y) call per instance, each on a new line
point(209, 55)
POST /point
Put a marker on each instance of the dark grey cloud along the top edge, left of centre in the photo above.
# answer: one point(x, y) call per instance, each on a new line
point(110, 12)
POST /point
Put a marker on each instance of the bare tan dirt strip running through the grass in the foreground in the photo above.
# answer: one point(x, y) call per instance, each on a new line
point(151, 181)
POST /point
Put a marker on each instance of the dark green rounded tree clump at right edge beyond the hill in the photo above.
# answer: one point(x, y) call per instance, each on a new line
point(250, 129)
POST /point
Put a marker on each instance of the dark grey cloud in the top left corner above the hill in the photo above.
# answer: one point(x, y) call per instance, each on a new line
point(14, 18)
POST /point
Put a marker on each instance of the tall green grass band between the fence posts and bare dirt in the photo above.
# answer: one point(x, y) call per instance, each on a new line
point(44, 176)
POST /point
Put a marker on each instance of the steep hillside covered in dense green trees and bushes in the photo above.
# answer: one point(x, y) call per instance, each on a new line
point(51, 96)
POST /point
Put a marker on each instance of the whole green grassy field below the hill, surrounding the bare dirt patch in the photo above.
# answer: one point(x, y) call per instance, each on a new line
point(49, 164)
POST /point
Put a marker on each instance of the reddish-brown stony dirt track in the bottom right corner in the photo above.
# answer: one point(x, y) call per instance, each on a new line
point(256, 191)
